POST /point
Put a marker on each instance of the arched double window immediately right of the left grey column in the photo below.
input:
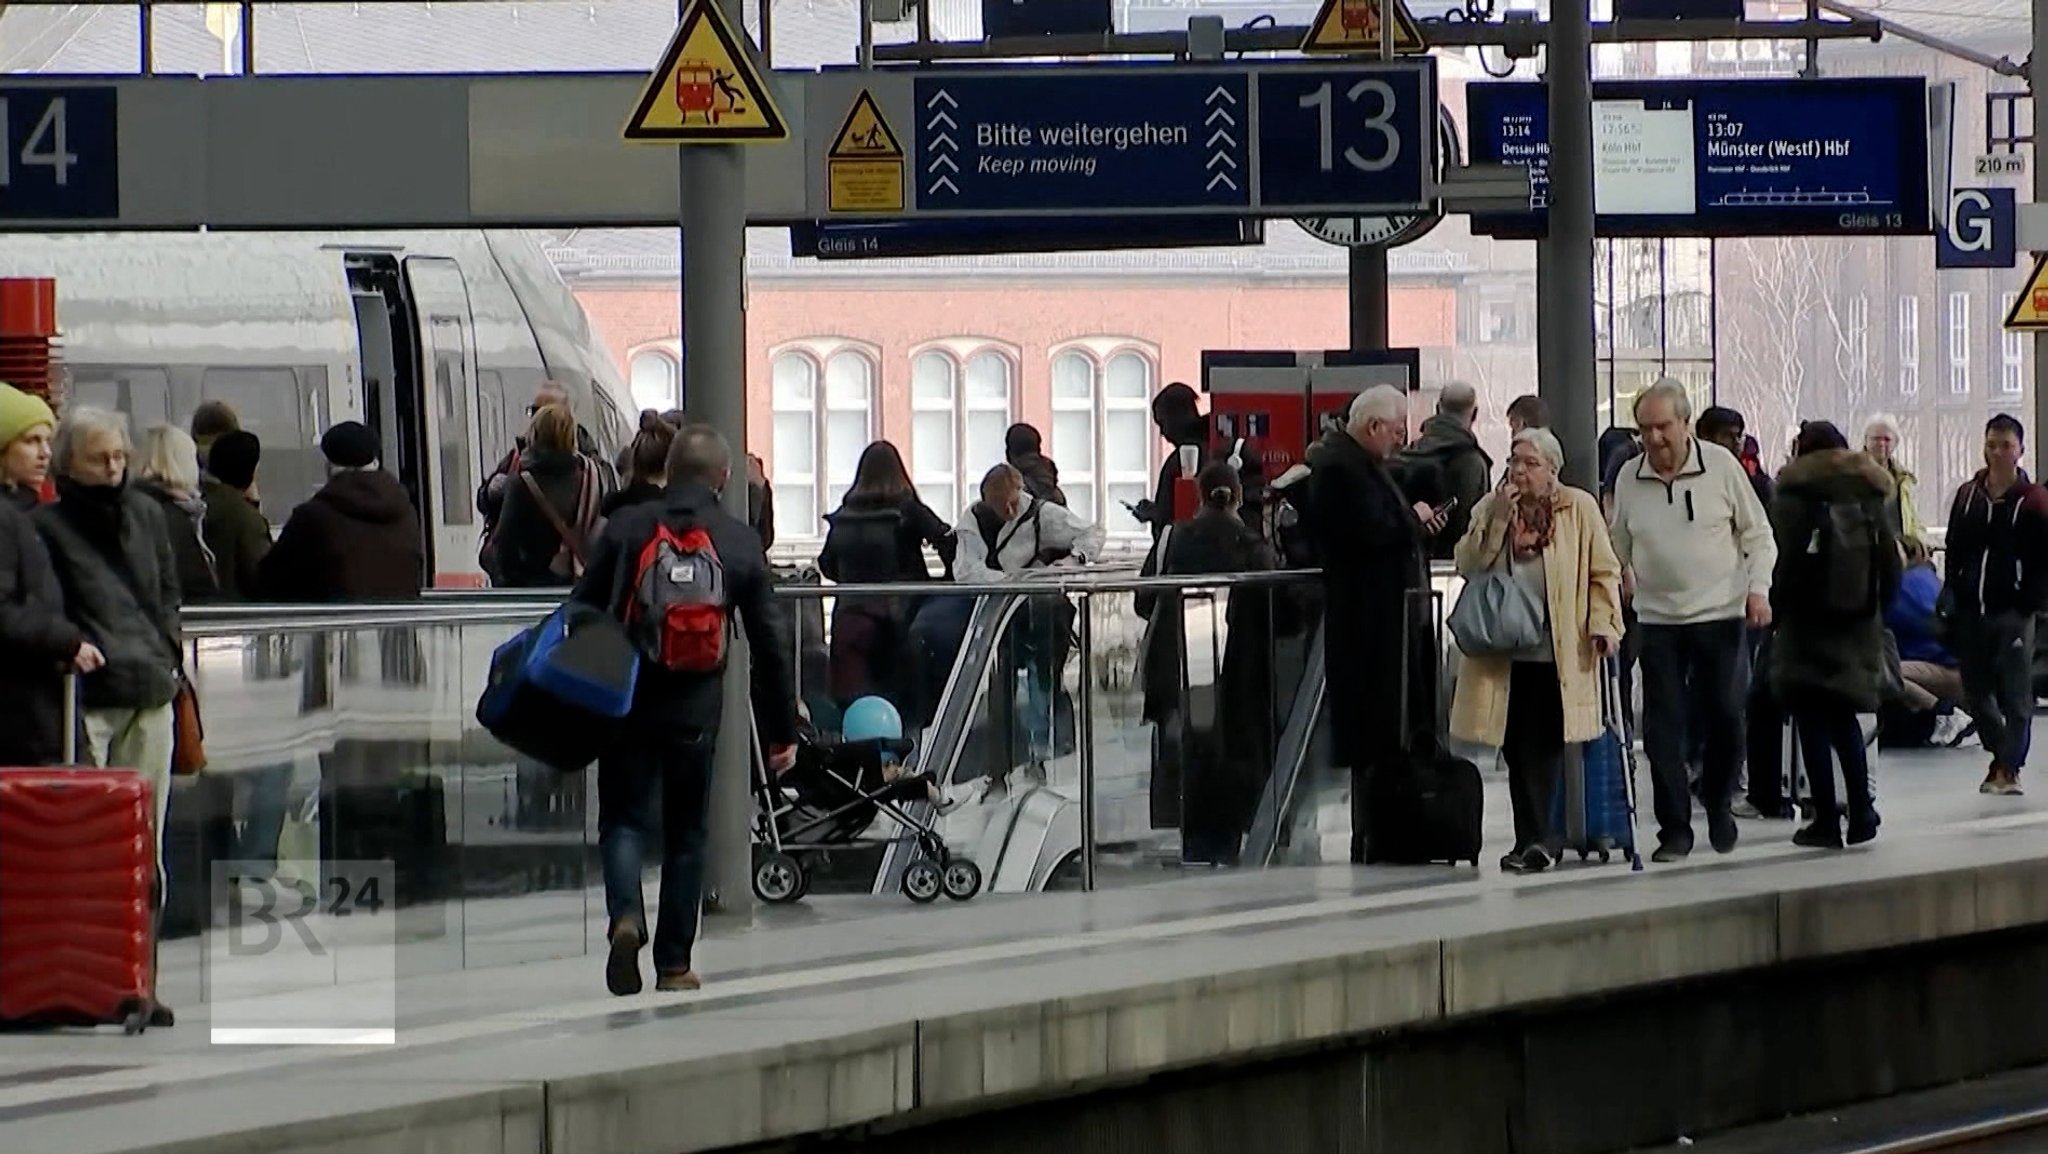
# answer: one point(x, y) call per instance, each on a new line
point(824, 417)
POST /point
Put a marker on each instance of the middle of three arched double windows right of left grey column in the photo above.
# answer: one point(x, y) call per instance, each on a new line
point(957, 425)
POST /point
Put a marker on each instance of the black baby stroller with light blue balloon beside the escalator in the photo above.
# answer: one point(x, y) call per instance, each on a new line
point(837, 794)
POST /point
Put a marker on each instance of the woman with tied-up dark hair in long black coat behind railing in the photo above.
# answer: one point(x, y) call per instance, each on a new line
point(1207, 776)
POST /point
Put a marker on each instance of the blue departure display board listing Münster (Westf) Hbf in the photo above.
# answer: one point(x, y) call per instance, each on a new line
point(1725, 157)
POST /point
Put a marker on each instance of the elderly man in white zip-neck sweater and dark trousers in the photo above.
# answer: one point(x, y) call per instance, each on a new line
point(1699, 552)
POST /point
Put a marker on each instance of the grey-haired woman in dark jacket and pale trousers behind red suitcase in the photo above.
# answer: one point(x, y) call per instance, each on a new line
point(120, 581)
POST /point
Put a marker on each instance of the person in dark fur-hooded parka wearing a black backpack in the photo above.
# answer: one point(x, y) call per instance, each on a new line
point(1828, 663)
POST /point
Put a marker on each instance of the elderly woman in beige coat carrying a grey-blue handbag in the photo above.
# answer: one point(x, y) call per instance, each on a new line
point(1555, 542)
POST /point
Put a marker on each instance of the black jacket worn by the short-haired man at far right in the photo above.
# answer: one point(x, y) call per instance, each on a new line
point(1998, 548)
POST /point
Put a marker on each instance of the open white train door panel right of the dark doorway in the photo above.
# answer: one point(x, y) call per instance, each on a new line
point(450, 393)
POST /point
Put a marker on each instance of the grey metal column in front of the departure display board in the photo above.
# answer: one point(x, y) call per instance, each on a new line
point(1566, 259)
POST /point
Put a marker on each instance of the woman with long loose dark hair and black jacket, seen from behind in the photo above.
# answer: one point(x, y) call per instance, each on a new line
point(878, 536)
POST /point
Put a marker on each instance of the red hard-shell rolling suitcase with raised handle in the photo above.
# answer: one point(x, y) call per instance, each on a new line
point(77, 893)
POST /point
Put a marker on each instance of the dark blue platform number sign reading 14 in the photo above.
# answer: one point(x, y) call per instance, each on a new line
point(60, 155)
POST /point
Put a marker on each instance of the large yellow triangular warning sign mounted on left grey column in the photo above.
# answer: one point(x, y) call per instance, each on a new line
point(706, 89)
